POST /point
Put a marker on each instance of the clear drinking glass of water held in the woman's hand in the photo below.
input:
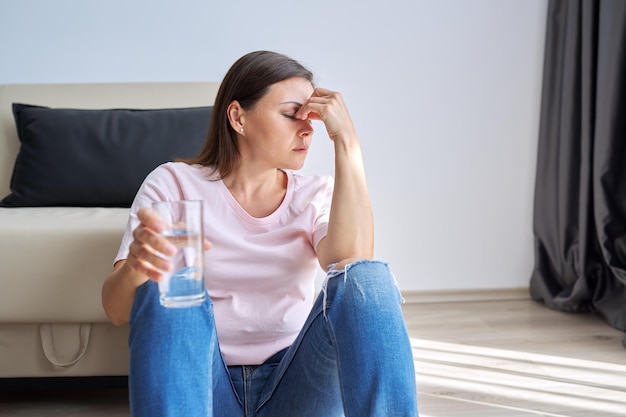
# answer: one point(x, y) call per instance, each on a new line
point(183, 286)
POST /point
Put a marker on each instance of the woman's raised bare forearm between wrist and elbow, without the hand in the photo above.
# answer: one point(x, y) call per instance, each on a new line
point(351, 224)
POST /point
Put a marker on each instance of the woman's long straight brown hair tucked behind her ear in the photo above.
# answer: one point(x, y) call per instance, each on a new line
point(247, 81)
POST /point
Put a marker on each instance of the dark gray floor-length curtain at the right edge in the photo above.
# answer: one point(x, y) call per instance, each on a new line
point(580, 190)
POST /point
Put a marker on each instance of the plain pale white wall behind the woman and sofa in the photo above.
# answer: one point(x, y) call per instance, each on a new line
point(445, 95)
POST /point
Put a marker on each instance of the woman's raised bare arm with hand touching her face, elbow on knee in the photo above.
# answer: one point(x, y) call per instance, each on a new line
point(351, 225)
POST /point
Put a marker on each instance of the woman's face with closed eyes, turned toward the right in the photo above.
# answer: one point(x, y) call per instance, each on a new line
point(272, 137)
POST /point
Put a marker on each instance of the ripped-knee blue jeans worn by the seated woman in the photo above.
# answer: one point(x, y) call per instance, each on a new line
point(352, 358)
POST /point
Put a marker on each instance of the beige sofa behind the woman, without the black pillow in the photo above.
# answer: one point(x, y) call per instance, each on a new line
point(53, 259)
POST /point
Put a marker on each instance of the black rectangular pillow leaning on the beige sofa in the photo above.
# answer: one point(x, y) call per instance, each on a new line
point(97, 158)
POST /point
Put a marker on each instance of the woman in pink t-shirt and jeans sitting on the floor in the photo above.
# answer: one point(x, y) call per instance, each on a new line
point(261, 345)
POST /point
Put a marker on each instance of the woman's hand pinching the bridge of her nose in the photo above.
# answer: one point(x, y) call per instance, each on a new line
point(329, 107)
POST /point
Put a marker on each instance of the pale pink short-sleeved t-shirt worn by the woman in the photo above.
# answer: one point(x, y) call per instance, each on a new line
point(260, 272)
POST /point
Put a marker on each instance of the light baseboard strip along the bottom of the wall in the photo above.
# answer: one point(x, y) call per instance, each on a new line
point(460, 296)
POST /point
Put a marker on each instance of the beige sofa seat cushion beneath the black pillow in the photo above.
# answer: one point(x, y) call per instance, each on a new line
point(54, 260)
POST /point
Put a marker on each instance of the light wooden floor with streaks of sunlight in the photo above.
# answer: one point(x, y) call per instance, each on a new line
point(511, 358)
